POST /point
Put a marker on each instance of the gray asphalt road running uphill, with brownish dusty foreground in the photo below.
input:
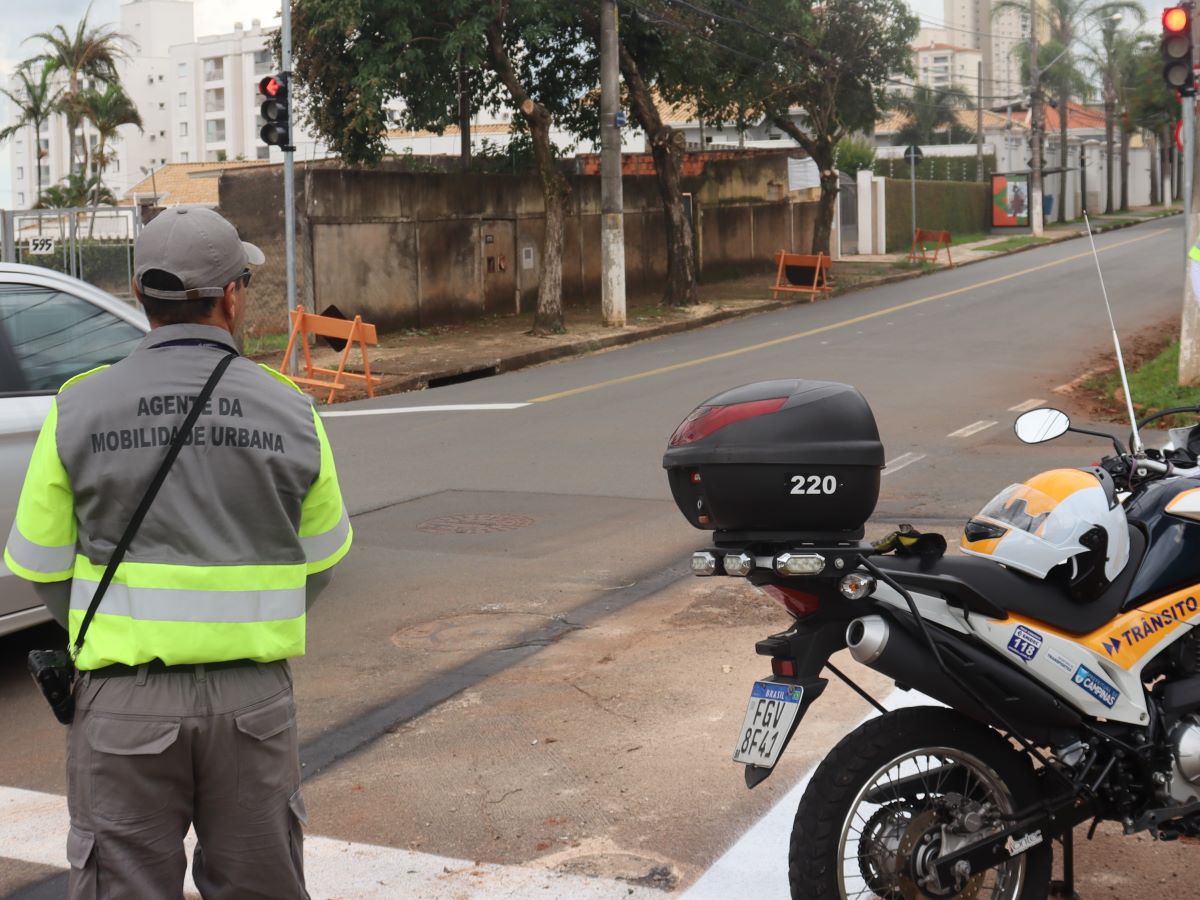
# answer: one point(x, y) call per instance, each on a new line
point(511, 668)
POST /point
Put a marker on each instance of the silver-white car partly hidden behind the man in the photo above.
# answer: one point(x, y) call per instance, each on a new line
point(52, 327)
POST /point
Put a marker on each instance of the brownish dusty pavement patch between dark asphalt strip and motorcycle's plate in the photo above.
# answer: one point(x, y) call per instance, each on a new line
point(608, 754)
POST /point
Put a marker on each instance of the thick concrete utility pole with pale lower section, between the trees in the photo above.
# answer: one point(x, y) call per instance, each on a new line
point(613, 205)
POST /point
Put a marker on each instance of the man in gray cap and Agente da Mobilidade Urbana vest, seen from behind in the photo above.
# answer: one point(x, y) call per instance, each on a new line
point(184, 710)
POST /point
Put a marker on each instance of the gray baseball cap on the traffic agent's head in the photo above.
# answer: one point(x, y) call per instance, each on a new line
point(199, 248)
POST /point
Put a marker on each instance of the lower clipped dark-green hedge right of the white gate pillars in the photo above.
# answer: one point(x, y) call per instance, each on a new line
point(955, 207)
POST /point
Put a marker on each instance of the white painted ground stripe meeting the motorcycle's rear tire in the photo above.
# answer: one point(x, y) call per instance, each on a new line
point(757, 866)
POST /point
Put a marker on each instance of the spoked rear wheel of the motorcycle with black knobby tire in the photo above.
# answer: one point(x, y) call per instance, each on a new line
point(848, 848)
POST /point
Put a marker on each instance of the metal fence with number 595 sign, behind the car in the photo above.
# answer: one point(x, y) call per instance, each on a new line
point(94, 245)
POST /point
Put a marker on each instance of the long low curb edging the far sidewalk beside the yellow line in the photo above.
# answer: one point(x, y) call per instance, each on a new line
point(535, 358)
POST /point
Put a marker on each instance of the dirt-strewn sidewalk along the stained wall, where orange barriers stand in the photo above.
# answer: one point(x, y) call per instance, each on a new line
point(416, 359)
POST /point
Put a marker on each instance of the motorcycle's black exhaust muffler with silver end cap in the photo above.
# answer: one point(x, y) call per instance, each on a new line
point(892, 650)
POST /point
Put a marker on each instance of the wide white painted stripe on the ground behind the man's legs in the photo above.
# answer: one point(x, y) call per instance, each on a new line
point(34, 830)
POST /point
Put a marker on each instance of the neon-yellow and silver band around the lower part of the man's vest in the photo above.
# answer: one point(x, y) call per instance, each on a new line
point(185, 614)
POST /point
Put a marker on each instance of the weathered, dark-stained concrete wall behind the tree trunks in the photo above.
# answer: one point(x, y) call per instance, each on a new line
point(411, 250)
